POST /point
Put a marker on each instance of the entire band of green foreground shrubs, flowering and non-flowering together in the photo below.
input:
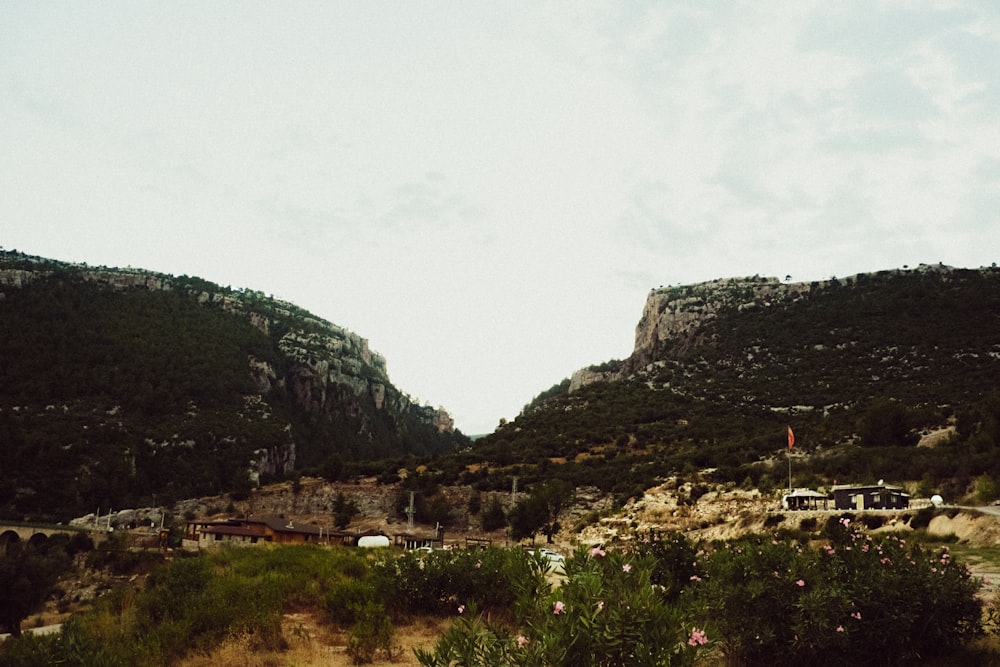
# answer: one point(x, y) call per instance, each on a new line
point(849, 597)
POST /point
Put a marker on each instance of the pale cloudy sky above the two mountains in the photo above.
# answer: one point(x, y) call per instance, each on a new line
point(487, 191)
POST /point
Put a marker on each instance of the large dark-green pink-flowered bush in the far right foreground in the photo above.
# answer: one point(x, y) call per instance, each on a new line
point(856, 600)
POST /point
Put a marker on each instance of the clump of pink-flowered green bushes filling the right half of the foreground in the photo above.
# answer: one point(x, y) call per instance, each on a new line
point(758, 600)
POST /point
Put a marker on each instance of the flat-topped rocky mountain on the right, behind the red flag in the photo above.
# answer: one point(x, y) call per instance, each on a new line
point(861, 368)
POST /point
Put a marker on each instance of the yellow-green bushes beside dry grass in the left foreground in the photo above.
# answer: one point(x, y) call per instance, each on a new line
point(194, 603)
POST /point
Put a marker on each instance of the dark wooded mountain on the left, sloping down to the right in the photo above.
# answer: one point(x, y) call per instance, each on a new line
point(120, 386)
